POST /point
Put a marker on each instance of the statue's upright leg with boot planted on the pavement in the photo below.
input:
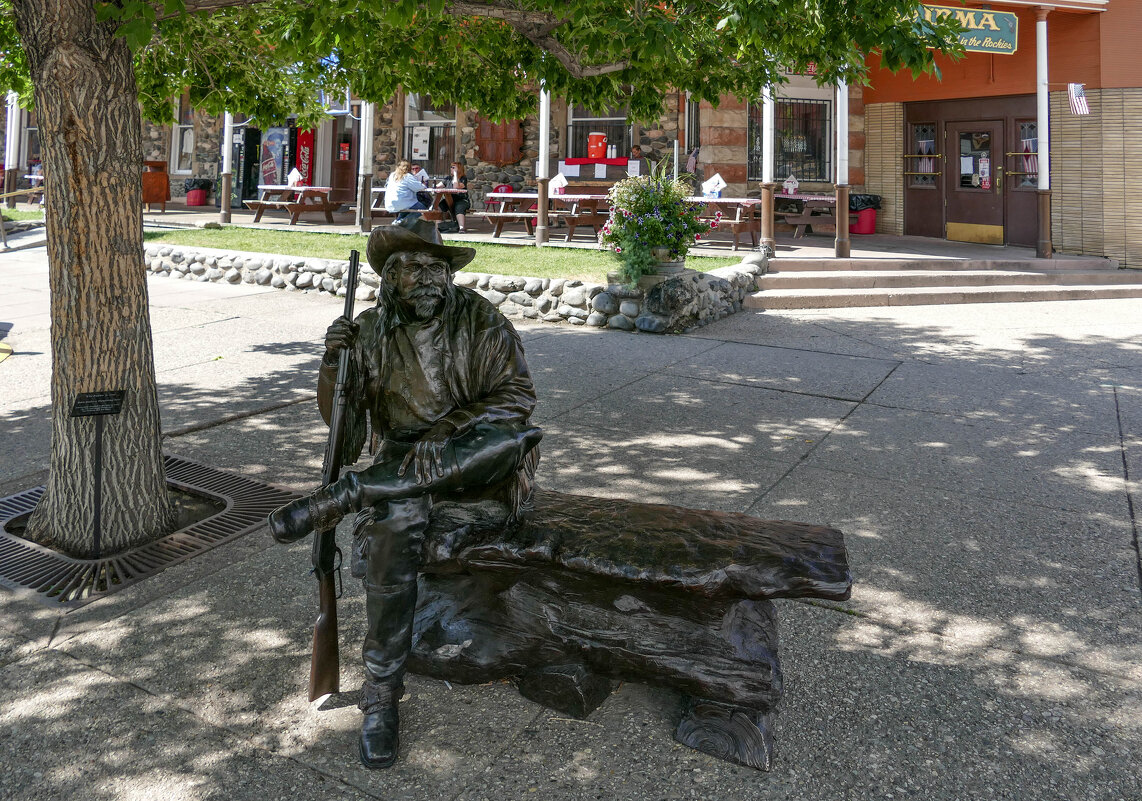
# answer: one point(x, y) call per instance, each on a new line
point(393, 557)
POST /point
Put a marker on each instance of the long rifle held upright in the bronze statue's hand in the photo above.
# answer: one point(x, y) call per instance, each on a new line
point(325, 666)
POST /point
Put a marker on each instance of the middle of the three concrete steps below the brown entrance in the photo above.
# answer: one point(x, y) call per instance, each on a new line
point(956, 278)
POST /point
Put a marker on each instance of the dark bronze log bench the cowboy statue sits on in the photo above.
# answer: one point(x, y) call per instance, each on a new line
point(590, 590)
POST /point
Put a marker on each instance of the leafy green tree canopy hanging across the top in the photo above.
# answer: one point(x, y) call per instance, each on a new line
point(271, 58)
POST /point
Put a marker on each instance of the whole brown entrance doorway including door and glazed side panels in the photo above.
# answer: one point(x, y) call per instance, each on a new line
point(972, 178)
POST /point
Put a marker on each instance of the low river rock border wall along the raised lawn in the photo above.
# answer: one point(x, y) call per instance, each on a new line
point(673, 306)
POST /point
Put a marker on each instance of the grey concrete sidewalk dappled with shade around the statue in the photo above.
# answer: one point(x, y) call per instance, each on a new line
point(982, 461)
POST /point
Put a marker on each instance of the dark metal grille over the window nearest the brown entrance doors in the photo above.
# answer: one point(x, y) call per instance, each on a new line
point(803, 141)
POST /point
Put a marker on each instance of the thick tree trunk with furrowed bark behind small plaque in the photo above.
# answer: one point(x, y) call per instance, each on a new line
point(91, 134)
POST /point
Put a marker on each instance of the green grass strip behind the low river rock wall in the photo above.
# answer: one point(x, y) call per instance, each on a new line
point(504, 260)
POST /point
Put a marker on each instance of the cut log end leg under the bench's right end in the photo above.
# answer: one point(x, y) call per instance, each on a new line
point(729, 733)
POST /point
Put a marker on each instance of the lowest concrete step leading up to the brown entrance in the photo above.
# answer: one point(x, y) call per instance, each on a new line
point(923, 297)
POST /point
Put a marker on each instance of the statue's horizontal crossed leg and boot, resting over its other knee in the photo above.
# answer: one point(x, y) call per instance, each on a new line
point(484, 458)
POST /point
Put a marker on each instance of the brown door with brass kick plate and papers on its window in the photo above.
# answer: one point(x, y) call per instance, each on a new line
point(974, 181)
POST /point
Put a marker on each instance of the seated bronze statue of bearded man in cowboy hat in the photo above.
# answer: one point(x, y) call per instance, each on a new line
point(440, 378)
